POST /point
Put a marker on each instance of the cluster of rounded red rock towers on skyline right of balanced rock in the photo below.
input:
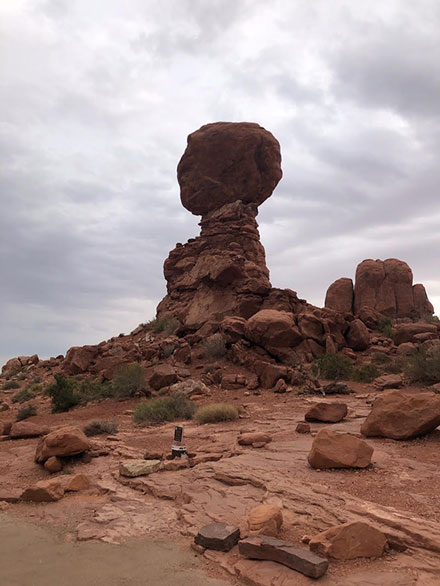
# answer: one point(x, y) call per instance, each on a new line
point(386, 287)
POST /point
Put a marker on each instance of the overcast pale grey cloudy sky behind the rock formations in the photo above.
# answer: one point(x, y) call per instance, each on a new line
point(98, 96)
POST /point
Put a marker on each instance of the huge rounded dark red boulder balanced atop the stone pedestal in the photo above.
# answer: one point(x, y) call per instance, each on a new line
point(225, 162)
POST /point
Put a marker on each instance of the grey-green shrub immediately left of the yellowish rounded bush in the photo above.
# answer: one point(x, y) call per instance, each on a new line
point(175, 406)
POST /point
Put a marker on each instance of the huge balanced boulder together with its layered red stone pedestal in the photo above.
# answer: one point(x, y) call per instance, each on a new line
point(227, 170)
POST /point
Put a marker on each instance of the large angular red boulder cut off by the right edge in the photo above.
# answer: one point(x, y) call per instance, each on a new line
point(400, 416)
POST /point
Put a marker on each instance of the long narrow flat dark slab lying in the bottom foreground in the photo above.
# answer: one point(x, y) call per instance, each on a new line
point(269, 548)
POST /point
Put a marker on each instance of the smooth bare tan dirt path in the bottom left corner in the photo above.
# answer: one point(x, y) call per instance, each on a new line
point(34, 556)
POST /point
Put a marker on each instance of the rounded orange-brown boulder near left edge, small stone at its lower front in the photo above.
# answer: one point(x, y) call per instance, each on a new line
point(67, 441)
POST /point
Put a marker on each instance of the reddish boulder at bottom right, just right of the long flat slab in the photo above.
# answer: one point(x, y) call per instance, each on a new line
point(349, 541)
